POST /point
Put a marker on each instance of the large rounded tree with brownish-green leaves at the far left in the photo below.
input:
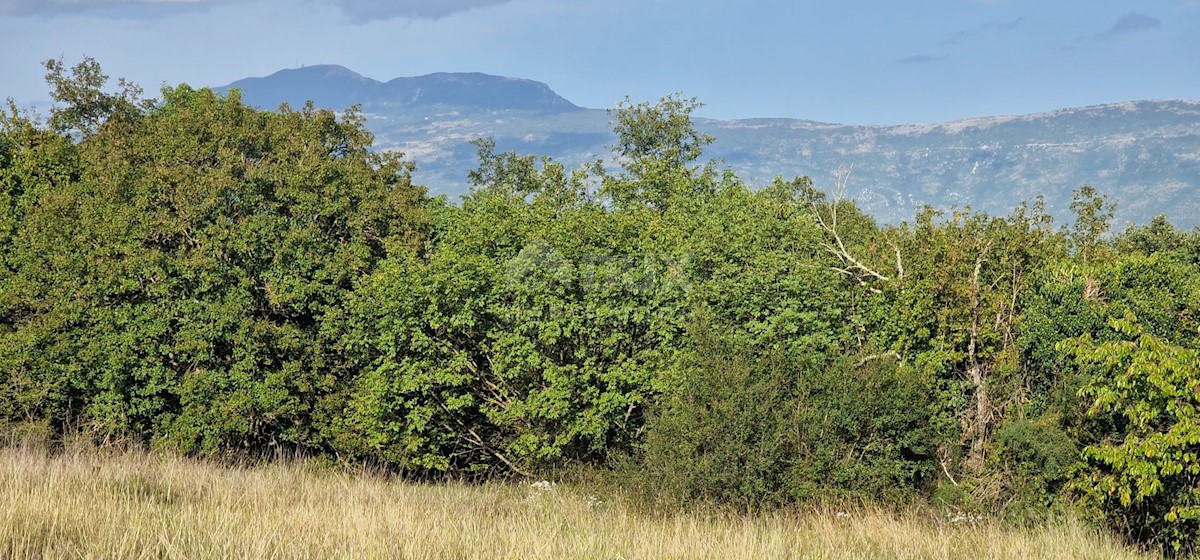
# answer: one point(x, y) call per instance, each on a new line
point(178, 286)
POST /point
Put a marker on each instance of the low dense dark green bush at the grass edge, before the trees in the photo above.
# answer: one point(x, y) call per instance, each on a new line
point(749, 427)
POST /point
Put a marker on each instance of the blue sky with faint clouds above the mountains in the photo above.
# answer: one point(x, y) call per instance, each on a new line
point(853, 62)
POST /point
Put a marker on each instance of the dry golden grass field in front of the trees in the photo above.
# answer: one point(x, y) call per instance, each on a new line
point(91, 505)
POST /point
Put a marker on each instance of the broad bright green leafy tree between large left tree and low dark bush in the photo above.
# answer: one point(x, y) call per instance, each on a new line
point(530, 335)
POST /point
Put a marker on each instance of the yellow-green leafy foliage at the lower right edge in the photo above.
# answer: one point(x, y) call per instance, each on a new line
point(1145, 478)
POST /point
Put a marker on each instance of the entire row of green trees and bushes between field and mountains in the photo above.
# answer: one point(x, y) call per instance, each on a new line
point(196, 275)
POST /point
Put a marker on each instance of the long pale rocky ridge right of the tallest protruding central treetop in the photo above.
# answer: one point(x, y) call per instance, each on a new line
point(1143, 155)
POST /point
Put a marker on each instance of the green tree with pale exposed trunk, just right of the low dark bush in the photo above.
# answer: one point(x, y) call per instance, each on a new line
point(952, 305)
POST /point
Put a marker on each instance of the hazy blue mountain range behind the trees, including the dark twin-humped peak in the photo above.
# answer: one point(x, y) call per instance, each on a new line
point(1145, 155)
